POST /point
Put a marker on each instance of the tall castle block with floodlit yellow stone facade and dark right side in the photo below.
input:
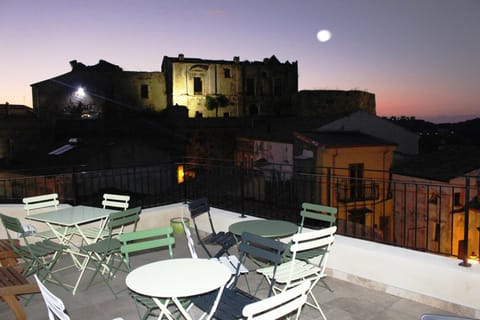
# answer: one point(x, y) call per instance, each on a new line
point(213, 88)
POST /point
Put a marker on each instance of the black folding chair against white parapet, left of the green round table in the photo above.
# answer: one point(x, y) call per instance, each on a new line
point(223, 239)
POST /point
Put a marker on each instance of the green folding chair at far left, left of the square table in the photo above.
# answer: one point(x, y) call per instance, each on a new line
point(39, 257)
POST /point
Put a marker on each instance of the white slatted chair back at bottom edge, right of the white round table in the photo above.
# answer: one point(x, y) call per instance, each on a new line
point(280, 305)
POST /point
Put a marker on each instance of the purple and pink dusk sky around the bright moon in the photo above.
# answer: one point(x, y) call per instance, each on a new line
point(419, 57)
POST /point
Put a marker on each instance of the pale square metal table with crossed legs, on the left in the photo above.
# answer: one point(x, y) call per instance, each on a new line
point(73, 217)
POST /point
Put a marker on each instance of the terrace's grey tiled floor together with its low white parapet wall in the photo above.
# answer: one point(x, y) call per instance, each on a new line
point(369, 280)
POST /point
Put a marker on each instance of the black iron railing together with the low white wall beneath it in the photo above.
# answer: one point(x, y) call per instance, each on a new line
point(391, 234)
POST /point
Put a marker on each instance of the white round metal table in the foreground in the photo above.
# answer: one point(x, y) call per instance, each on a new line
point(178, 278)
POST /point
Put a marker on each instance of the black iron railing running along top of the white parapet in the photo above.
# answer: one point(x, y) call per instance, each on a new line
point(384, 208)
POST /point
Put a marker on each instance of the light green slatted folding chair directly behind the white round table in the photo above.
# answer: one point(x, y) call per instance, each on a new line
point(137, 241)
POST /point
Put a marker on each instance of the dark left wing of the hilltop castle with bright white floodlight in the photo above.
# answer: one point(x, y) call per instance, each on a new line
point(94, 91)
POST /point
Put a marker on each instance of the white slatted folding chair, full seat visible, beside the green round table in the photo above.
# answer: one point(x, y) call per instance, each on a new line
point(295, 271)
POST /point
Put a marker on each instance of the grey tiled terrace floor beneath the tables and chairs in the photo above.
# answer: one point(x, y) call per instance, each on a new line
point(347, 302)
